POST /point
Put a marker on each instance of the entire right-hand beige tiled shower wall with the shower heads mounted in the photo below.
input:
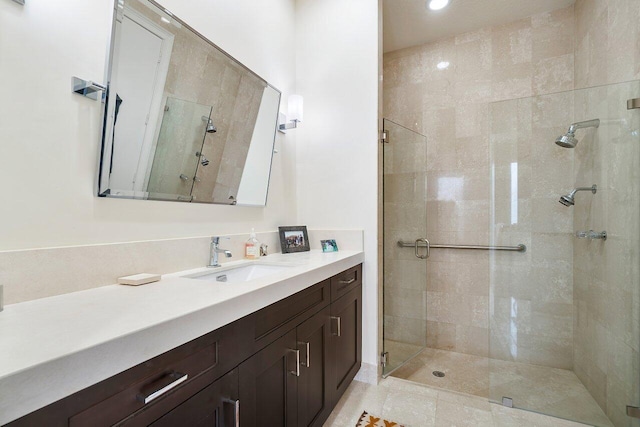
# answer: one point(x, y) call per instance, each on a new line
point(606, 274)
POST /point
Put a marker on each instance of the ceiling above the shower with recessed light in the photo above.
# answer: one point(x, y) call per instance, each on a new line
point(410, 23)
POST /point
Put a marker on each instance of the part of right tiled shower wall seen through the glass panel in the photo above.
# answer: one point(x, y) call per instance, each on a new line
point(607, 276)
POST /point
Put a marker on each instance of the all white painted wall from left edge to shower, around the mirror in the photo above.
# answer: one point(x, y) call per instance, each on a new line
point(49, 137)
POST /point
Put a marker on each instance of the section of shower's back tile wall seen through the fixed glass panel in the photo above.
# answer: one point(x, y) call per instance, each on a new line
point(532, 294)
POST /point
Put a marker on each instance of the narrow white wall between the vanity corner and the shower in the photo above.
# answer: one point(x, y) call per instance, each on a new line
point(337, 73)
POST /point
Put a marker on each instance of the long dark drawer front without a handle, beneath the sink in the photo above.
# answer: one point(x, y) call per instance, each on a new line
point(273, 321)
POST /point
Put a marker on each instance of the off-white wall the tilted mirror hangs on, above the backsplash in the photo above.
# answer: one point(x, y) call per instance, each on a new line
point(49, 137)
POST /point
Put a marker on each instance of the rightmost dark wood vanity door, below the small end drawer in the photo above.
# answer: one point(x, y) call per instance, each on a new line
point(346, 342)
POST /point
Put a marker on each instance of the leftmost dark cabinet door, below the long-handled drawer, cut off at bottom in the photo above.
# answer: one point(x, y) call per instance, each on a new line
point(217, 405)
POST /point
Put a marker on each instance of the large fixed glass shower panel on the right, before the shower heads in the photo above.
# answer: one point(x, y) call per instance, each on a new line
point(565, 316)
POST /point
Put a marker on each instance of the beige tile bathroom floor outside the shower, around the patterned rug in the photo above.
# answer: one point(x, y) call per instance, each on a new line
point(418, 405)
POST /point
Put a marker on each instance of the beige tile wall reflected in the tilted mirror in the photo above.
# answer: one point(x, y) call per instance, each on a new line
point(198, 72)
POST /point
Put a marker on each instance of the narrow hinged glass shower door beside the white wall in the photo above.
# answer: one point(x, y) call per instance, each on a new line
point(404, 223)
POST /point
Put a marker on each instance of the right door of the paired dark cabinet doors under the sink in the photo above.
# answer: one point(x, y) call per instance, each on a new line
point(314, 394)
